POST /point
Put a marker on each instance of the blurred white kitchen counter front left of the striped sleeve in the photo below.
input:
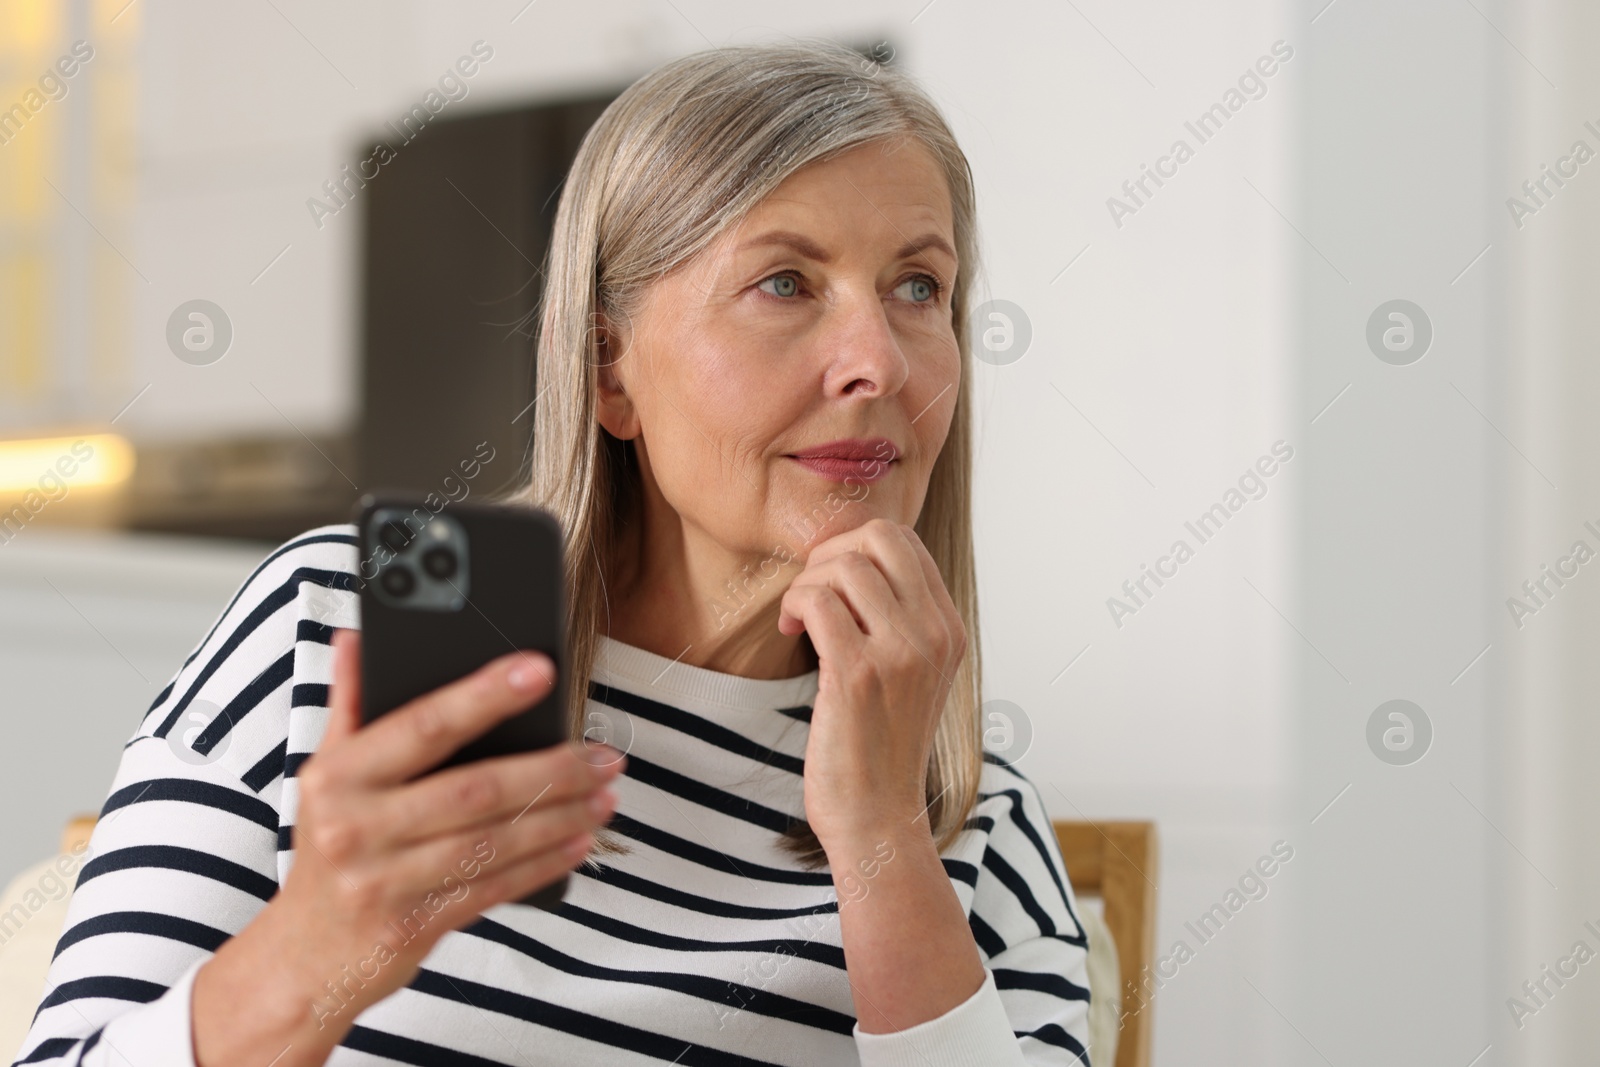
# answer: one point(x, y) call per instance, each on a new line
point(94, 628)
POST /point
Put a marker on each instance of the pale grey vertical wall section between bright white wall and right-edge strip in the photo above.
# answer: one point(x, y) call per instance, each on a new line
point(1394, 932)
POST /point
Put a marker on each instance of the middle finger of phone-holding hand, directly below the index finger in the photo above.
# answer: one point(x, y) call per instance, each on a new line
point(490, 791)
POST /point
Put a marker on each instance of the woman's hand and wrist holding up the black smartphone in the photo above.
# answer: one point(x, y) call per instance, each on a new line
point(375, 849)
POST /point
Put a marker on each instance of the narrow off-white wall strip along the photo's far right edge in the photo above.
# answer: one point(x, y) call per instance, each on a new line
point(1548, 733)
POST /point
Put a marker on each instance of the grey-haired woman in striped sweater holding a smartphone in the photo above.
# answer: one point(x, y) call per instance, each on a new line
point(754, 428)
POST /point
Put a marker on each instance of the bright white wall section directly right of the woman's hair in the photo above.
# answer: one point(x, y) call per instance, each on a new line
point(1169, 342)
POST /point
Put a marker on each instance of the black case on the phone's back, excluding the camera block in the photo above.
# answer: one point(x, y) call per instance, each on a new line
point(516, 601)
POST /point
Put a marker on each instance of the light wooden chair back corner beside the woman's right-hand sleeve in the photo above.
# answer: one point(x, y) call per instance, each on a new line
point(1118, 861)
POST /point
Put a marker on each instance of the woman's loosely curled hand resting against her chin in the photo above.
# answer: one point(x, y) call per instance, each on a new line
point(889, 642)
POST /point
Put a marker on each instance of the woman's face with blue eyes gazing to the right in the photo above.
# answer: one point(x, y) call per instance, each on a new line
point(822, 319)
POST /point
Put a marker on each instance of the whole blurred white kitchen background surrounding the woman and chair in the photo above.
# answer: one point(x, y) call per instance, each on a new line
point(258, 257)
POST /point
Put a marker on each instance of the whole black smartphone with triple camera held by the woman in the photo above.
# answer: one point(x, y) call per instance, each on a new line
point(447, 591)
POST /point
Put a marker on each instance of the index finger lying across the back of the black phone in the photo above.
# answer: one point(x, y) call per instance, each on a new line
point(420, 735)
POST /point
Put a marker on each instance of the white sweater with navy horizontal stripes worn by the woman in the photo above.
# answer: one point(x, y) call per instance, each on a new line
point(706, 945)
